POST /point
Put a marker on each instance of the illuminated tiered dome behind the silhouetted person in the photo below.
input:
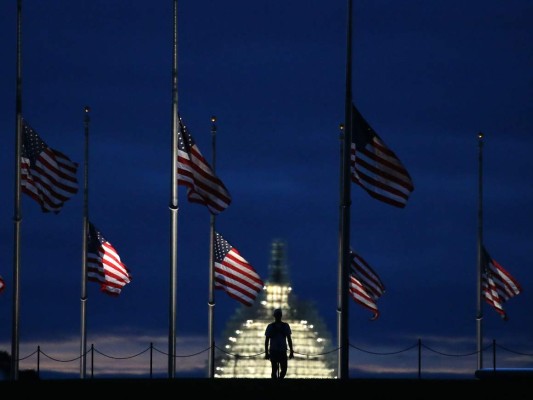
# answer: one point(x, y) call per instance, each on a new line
point(243, 354)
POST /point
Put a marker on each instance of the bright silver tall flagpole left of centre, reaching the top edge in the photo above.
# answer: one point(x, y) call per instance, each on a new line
point(173, 206)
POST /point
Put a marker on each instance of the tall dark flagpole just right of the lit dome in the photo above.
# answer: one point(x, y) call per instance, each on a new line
point(345, 203)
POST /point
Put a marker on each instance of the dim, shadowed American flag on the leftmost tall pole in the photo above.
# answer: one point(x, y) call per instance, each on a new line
point(47, 175)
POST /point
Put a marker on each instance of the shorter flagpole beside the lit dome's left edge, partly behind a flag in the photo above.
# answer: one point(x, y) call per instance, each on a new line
point(211, 303)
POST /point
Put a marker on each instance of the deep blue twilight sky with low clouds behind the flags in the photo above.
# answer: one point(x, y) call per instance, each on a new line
point(427, 76)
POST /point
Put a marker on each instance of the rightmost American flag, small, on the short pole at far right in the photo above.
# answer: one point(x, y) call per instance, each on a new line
point(497, 284)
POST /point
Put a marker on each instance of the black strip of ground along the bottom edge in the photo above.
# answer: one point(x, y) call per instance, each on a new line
point(252, 389)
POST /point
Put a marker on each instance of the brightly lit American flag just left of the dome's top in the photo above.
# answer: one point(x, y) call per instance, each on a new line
point(234, 274)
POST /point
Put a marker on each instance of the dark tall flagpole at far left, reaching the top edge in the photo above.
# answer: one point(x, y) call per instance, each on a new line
point(17, 217)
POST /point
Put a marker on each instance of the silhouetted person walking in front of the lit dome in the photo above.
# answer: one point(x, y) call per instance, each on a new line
point(277, 337)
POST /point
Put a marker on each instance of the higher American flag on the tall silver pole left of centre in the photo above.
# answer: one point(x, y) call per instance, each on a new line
point(194, 172)
